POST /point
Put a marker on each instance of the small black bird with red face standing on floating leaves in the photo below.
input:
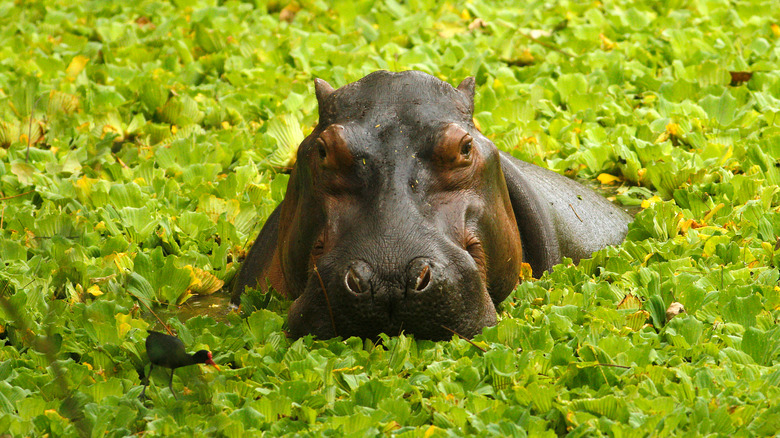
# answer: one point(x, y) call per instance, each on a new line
point(169, 352)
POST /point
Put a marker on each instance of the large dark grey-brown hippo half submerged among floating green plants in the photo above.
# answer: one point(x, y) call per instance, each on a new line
point(400, 216)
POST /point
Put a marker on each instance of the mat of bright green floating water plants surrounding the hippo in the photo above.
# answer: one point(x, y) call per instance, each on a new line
point(143, 144)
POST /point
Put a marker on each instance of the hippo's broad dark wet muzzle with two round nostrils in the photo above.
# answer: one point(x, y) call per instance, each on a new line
point(418, 282)
